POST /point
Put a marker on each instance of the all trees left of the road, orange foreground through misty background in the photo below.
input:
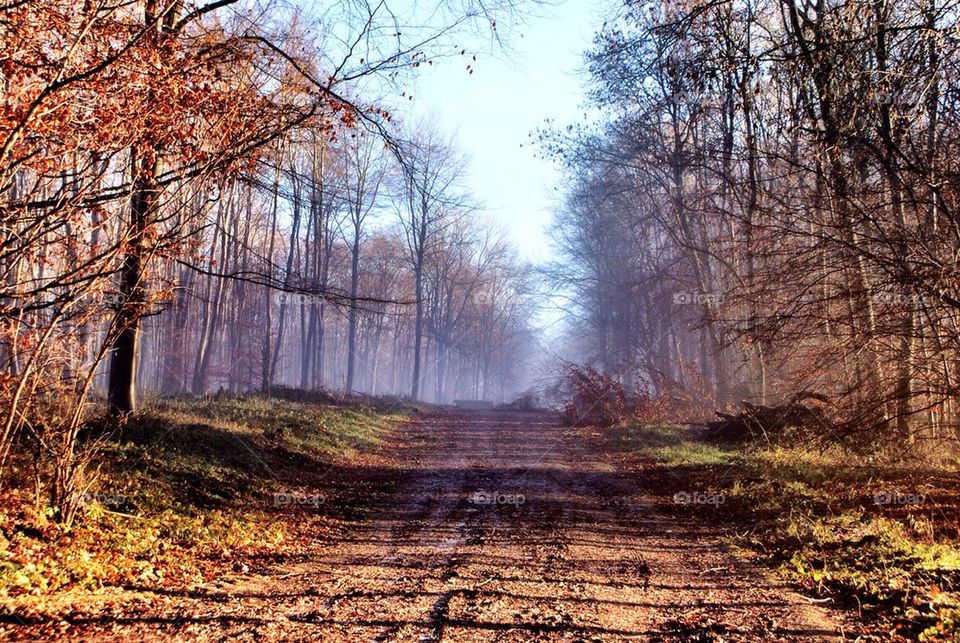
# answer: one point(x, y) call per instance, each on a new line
point(169, 172)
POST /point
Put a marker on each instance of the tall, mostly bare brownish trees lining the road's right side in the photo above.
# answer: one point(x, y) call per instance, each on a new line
point(772, 197)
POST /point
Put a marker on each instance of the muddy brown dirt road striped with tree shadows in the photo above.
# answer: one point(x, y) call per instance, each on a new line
point(494, 526)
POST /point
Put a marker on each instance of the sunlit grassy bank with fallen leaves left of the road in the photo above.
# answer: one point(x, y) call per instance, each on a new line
point(190, 484)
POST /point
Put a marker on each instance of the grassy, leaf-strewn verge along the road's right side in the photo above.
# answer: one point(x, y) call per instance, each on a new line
point(812, 516)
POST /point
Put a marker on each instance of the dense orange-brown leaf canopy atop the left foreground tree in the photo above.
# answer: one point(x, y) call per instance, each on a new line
point(195, 97)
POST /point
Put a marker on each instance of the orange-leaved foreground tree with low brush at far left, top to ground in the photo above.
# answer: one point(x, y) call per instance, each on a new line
point(106, 106)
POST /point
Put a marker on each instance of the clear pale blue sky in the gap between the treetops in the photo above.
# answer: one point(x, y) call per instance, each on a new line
point(492, 112)
